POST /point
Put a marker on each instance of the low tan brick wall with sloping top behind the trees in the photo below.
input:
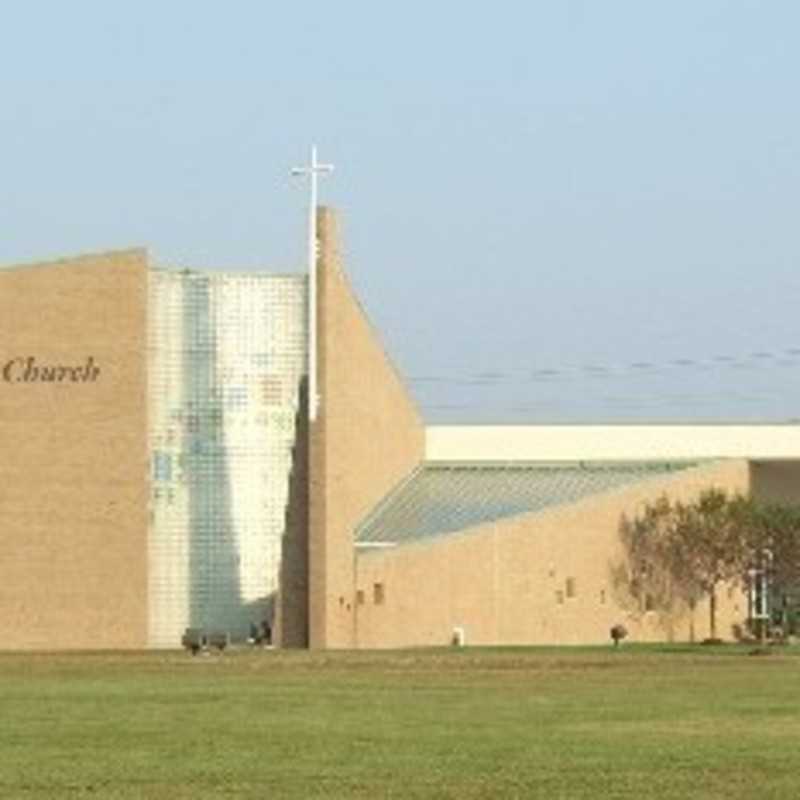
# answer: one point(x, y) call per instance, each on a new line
point(500, 581)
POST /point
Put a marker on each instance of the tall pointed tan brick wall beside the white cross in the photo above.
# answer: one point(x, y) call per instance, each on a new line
point(367, 437)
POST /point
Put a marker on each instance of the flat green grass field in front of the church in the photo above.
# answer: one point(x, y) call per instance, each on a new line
point(643, 722)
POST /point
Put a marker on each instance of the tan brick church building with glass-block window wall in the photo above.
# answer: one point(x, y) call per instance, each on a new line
point(161, 473)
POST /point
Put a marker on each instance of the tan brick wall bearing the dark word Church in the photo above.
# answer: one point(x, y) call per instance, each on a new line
point(73, 470)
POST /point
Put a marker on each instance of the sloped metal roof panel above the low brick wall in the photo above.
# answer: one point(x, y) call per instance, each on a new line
point(440, 498)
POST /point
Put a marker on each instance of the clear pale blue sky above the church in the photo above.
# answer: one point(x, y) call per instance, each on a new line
point(553, 212)
